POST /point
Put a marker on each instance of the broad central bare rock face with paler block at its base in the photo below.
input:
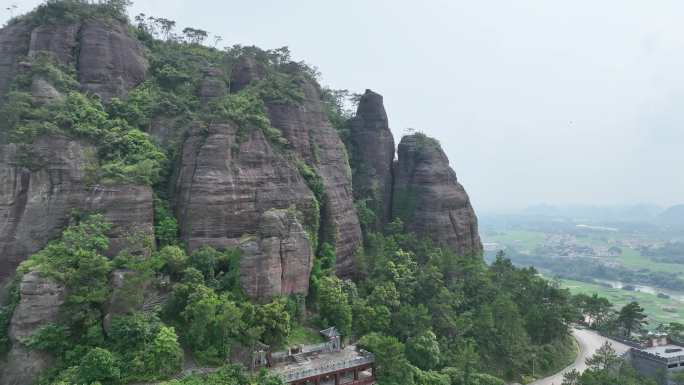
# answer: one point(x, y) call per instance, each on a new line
point(225, 187)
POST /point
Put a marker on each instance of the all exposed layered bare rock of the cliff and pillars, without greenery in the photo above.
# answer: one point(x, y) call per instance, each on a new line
point(231, 188)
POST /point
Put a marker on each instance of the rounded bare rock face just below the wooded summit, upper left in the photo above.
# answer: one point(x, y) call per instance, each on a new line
point(110, 62)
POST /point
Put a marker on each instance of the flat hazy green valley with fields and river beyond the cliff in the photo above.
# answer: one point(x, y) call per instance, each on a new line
point(630, 266)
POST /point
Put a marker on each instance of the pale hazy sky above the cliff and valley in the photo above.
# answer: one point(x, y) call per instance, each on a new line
point(534, 101)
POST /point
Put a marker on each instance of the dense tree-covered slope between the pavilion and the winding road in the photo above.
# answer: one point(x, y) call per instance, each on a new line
point(426, 306)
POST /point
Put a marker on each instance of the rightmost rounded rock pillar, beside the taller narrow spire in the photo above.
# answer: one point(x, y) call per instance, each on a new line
point(429, 199)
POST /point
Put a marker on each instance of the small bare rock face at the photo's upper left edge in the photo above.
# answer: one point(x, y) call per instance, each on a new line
point(14, 42)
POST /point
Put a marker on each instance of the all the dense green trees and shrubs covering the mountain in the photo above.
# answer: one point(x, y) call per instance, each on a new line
point(430, 314)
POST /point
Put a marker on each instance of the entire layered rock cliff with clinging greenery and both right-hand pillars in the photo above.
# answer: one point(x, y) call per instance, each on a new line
point(268, 175)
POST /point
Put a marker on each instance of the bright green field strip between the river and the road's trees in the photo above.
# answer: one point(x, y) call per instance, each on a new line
point(654, 306)
